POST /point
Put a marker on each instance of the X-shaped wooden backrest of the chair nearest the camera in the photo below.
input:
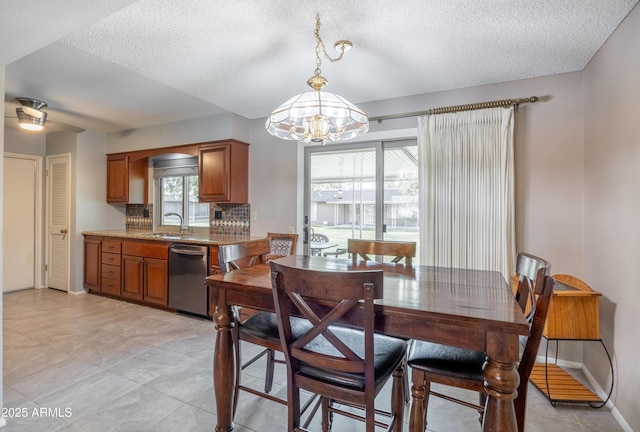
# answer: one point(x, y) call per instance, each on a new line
point(323, 297)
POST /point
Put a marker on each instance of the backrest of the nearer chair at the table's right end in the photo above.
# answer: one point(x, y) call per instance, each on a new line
point(543, 292)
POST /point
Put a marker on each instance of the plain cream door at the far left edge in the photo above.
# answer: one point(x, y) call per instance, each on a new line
point(21, 234)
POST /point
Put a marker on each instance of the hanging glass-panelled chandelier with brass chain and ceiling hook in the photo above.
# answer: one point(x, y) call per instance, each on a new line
point(317, 116)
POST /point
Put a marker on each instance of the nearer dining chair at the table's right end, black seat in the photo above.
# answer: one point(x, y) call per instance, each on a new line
point(462, 368)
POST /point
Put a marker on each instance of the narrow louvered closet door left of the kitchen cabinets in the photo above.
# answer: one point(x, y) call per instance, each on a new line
point(58, 171)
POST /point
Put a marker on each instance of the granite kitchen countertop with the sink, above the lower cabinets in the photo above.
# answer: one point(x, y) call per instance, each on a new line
point(166, 236)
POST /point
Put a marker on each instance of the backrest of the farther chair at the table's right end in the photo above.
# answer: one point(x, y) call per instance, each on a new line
point(529, 268)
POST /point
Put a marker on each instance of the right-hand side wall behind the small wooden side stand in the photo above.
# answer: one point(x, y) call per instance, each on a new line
point(612, 206)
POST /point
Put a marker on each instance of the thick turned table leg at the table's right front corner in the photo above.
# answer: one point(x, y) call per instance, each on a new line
point(501, 381)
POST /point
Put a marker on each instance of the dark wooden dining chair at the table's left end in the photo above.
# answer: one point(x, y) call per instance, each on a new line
point(256, 327)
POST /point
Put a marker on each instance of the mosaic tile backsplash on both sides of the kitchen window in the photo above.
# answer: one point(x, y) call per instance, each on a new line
point(225, 219)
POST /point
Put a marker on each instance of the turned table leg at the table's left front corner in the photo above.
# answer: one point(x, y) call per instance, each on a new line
point(224, 364)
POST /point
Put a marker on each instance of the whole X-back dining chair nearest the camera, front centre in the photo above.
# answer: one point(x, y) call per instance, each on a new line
point(348, 365)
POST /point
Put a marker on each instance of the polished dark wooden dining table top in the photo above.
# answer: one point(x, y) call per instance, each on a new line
point(470, 298)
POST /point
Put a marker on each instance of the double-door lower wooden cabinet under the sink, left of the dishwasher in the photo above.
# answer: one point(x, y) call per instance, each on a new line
point(145, 272)
